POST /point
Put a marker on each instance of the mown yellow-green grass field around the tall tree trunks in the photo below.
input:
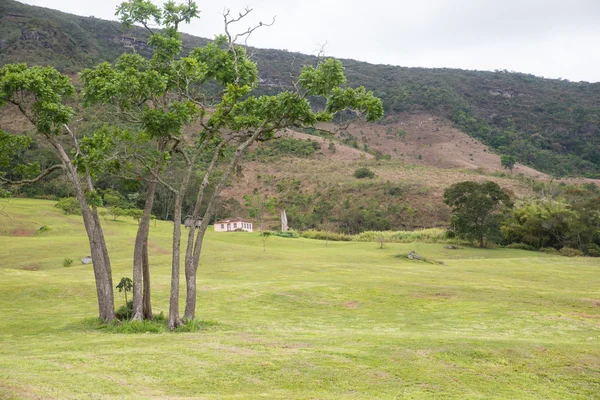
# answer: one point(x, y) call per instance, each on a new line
point(299, 320)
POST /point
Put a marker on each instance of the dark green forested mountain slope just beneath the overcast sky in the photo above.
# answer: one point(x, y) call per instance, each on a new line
point(550, 125)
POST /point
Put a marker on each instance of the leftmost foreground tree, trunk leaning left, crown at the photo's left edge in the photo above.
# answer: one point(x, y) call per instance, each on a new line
point(39, 94)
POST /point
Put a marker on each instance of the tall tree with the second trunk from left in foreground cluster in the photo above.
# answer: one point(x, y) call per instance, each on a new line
point(143, 90)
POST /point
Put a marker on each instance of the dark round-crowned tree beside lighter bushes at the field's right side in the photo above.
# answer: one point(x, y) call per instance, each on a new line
point(476, 209)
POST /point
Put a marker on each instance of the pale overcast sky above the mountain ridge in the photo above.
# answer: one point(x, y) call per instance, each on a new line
point(550, 38)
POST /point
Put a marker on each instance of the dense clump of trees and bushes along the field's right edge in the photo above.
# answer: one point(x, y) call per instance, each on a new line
point(565, 219)
